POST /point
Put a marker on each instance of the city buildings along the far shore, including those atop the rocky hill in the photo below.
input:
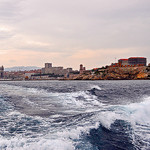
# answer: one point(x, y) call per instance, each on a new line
point(55, 73)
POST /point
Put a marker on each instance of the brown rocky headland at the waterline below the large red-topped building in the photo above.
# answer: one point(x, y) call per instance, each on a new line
point(115, 73)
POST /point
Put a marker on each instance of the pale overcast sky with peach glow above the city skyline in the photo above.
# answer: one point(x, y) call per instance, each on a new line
point(73, 32)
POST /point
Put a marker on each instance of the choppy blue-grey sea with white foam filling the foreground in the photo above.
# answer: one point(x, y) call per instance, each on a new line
point(75, 115)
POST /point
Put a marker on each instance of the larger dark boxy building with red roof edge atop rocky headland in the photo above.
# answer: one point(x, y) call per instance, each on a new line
point(137, 61)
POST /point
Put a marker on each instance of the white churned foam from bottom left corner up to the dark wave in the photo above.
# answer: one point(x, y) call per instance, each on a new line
point(58, 140)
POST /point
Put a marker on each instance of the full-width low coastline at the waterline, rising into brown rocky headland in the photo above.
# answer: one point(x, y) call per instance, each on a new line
point(108, 73)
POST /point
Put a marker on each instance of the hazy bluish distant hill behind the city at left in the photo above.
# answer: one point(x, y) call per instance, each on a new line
point(22, 68)
